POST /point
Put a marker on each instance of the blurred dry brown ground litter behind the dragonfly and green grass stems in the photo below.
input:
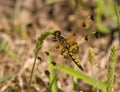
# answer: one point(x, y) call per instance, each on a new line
point(21, 23)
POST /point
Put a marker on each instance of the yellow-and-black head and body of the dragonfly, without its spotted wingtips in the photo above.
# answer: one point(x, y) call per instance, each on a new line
point(69, 50)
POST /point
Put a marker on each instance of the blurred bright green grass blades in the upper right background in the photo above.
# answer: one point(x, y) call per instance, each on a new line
point(106, 9)
